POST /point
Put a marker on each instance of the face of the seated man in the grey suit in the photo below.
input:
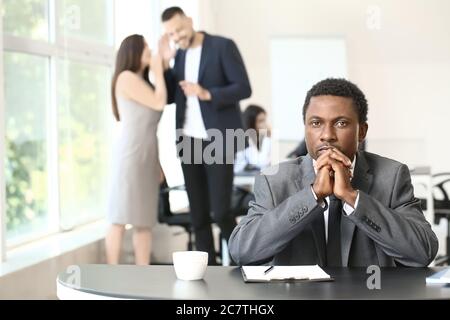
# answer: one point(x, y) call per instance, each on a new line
point(331, 121)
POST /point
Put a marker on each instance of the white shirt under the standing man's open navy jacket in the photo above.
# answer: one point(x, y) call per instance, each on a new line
point(193, 125)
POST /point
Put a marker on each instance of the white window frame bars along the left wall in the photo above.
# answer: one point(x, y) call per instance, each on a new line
point(57, 48)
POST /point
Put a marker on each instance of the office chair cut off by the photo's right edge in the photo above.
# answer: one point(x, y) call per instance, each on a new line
point(441, 188)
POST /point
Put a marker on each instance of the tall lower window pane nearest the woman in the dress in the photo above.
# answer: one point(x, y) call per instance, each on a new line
point(84, 126)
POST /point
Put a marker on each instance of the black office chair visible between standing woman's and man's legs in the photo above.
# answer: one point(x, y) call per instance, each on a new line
point(165, 214)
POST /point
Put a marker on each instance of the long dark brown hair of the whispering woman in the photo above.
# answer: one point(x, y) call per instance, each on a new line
point(128, 58)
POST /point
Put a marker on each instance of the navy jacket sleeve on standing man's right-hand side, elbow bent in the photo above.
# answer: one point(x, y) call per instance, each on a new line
point(238, 87)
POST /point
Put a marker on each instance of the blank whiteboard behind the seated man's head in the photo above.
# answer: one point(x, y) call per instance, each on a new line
point(297, 63)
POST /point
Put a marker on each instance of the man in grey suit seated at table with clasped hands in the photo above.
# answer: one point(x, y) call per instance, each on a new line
point(336, 206)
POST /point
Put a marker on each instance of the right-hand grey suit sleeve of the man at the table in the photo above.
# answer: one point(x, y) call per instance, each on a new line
point(400, 230)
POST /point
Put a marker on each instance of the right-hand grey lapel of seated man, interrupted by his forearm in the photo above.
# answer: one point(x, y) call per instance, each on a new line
point(362, 180)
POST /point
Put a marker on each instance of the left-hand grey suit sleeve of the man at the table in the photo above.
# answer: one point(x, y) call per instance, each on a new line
point(267, 229)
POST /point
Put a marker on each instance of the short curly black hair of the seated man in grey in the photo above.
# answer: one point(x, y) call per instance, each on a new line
point(340, 88)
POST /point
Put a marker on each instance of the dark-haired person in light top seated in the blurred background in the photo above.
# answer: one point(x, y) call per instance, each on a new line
point(257, 155)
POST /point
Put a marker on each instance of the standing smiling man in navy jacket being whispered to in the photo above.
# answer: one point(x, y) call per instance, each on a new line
point(207, 81)
